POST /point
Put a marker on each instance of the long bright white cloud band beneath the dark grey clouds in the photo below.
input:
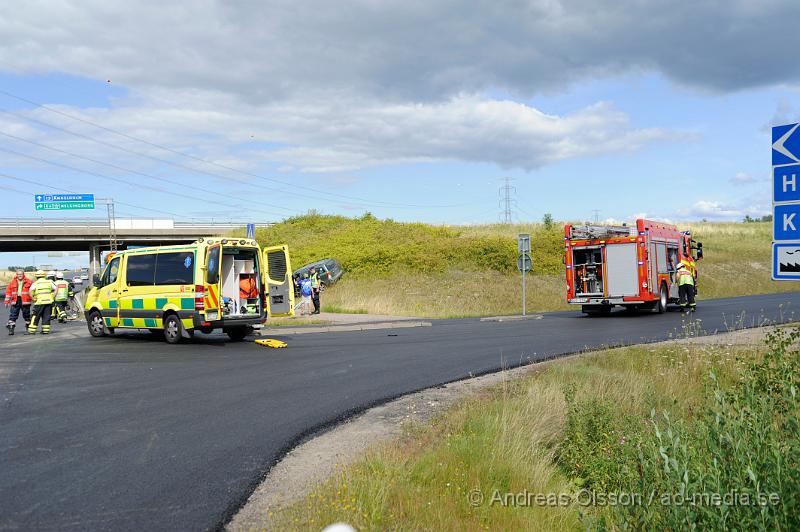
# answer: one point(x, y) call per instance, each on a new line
point(347, 135)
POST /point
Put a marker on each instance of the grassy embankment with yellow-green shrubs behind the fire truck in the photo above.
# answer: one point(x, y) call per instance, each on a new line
point(448, 271)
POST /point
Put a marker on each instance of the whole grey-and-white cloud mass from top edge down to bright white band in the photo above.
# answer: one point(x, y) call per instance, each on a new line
point(335, 87)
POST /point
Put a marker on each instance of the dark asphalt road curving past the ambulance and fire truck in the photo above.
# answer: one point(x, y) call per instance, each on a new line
point(130, 433)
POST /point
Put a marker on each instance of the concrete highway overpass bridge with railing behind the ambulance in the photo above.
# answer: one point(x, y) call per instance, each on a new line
point(94, 234)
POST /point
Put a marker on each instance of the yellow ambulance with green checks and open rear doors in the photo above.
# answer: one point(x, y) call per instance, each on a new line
point(213, 283)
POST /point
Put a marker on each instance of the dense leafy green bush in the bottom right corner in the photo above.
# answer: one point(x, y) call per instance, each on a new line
point(743, 449)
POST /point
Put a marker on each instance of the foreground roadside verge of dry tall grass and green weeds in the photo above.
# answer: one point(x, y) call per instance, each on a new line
point(662, 424)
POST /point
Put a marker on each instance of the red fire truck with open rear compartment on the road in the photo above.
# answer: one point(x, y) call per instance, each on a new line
point(632, 266)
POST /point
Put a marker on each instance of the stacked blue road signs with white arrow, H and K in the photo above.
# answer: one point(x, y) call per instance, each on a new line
point(786, 202)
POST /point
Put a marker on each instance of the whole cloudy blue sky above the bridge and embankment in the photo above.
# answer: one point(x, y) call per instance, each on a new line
point(415, 111)
